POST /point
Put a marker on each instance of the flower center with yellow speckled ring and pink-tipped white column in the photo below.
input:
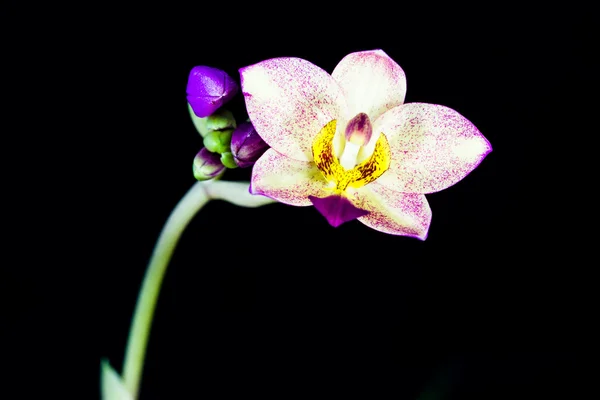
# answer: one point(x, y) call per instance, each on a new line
point(345, 171)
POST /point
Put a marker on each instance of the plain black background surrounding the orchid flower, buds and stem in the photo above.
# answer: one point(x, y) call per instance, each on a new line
point(274, 302)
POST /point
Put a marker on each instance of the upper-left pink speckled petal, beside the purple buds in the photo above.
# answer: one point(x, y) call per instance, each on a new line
point(289, 100)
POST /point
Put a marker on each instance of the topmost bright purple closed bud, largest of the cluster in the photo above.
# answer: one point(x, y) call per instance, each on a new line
point(208, 89)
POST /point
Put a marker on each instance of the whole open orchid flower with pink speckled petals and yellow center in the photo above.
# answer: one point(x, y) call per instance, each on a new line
point(347, 144)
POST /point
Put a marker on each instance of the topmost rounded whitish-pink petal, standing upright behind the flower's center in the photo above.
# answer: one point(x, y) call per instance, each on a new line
point(371, 81)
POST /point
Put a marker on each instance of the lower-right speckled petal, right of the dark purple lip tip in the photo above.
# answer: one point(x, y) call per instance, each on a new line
point(404, 214)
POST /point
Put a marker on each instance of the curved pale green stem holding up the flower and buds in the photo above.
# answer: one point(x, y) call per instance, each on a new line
point(200, 193)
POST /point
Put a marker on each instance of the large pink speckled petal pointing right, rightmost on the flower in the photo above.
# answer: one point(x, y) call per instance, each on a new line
point(433, 147)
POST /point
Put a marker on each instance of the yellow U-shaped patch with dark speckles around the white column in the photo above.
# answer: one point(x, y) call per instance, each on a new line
point(338, 176)
